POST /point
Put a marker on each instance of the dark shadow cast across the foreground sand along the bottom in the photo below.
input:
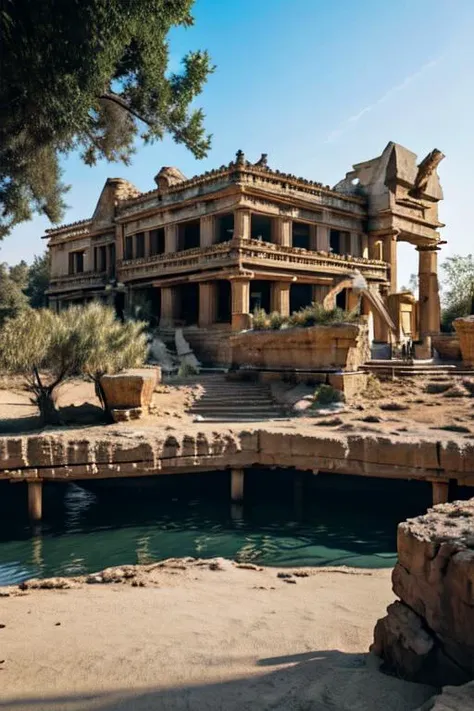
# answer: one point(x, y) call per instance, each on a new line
point(310, 681)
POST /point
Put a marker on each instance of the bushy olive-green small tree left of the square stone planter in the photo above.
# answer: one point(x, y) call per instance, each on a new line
point(48, 348)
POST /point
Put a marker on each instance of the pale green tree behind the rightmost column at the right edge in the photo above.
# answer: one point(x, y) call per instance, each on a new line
point(458, 294)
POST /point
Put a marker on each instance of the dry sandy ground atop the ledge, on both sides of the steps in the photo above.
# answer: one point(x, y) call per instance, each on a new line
point(407, 406)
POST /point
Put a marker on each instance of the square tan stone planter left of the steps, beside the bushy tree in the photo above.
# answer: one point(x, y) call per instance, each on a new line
point(129, 394)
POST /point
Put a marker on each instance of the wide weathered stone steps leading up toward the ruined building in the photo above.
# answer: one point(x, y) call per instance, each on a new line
point(233, 401)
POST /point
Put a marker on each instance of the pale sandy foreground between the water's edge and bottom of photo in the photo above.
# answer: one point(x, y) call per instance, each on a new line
point(201, 636)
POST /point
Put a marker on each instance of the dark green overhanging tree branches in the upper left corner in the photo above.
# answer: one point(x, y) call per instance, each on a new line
point(89, 75)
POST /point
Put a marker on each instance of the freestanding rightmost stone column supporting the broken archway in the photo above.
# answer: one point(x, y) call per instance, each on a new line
point(428, 289)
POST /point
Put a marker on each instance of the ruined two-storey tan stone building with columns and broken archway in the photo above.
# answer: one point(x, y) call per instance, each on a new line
point(205, 252)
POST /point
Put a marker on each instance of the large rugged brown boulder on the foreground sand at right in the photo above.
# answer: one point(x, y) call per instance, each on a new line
point(428, 636)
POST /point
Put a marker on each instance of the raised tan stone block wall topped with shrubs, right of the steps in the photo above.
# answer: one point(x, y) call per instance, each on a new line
point(342, 347)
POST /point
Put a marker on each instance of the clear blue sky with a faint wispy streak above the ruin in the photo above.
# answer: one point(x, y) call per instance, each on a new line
point(318, 85)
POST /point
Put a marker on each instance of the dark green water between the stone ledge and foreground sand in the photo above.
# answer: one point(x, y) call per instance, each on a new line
point(327, 520)
